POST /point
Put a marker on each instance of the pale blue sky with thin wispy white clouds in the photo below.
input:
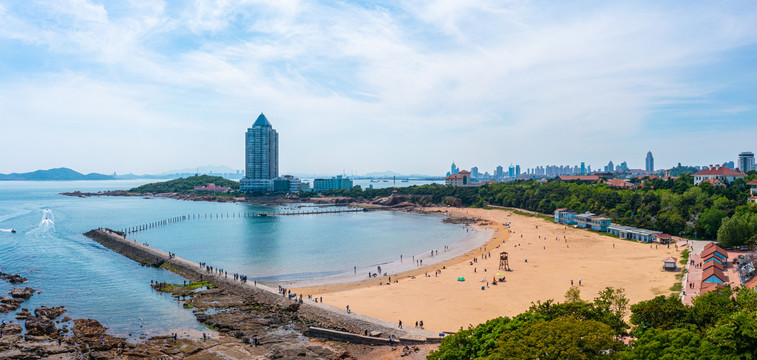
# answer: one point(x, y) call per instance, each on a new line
point(356, 87)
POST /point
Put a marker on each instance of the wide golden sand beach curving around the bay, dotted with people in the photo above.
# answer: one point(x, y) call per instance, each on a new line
point(542, 263)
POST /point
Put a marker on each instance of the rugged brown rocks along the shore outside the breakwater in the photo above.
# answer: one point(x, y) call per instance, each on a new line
point(238, 327)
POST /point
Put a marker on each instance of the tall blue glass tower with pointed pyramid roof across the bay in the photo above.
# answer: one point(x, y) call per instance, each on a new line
point(261, 156)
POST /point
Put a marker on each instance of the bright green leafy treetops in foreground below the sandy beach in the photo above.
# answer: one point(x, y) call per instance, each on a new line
point(719, 325)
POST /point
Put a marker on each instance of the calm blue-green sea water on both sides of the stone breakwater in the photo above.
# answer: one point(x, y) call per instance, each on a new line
point(92, 281)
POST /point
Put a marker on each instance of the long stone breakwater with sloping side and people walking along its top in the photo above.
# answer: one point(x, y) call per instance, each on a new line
point(320, 314)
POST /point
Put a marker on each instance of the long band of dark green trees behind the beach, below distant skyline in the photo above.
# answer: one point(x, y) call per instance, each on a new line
point(676, 207)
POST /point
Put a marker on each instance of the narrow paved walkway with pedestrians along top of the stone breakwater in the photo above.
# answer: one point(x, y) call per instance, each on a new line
point(331, 312)
